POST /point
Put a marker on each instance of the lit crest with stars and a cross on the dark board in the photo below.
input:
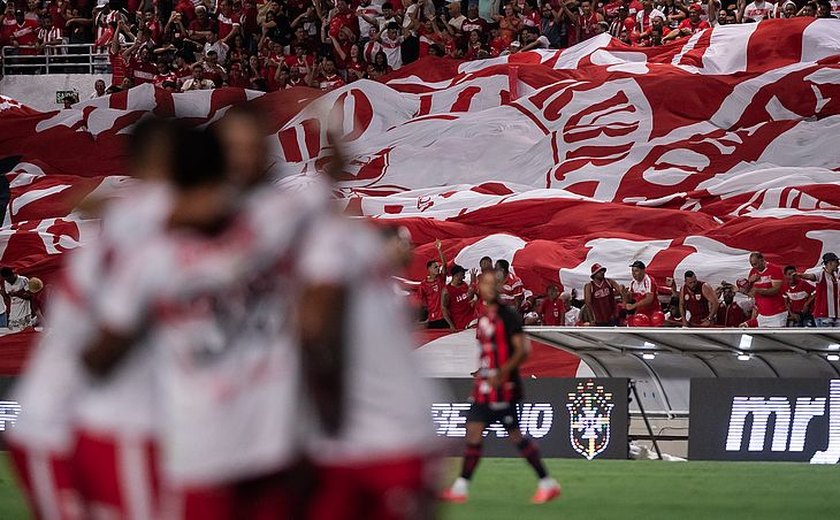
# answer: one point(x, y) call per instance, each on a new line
point(589, 408)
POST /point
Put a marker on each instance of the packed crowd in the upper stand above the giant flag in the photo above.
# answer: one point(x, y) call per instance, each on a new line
point(274, 44)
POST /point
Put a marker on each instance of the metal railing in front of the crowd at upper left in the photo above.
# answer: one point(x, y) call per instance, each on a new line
point(74, 58)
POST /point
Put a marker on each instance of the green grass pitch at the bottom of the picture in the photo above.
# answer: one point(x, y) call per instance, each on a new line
point(624, 490)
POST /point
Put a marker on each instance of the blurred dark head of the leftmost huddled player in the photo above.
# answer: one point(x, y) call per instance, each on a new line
point(150, 151)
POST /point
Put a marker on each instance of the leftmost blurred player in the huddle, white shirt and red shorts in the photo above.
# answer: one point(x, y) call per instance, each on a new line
point(57, 398)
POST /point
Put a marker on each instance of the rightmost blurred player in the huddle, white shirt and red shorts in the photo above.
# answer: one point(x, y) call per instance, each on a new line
point(373, 437)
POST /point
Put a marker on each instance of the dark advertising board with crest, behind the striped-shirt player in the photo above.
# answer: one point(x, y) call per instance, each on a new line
point(571, 418)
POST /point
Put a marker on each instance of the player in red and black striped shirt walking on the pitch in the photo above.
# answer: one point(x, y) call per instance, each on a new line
point(497, 390)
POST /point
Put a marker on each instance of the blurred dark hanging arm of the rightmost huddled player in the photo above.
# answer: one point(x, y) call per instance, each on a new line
point(323, 312)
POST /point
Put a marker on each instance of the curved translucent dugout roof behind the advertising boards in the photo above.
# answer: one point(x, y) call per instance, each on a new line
point(662, 361)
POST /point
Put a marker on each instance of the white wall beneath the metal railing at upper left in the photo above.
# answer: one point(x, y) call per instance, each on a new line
point(38, 91)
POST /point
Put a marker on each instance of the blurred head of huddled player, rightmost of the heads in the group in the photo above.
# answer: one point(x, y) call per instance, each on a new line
point(243, 134)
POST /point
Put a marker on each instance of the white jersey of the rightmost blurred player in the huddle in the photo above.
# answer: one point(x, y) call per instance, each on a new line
point(387, 401)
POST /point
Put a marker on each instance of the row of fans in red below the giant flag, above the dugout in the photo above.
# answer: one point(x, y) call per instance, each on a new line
point(770, 296)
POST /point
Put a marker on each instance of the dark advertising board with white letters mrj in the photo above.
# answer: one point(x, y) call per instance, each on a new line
point(765, 419)
